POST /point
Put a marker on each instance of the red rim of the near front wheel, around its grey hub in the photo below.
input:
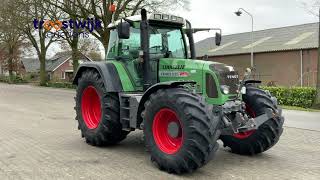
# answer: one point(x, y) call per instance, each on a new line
point(160, 129)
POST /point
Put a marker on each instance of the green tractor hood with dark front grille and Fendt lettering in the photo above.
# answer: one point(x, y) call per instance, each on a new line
point(209, 76)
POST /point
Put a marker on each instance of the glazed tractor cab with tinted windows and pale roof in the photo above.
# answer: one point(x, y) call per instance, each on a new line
point(166, 40)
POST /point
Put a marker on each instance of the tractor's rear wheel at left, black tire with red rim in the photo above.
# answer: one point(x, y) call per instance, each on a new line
point(97, 111)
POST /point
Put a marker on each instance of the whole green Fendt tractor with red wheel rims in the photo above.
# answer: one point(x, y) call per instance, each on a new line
point(152, 81)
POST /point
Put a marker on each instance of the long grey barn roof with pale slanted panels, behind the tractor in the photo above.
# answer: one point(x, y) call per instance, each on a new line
point(303, 36)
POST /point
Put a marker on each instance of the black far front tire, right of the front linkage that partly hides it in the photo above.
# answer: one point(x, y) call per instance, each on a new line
point(267, 135)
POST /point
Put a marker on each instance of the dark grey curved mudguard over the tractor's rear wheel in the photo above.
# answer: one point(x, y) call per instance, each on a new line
point(106, 70)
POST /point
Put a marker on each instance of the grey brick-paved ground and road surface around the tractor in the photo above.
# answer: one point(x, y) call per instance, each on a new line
point(39, 140)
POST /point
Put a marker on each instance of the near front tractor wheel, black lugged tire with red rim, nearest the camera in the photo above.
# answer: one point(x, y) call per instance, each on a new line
point(194, 140)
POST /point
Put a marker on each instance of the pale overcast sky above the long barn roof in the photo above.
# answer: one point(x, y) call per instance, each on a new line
point(266, 14)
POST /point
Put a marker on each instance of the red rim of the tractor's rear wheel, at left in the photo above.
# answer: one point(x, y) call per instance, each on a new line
point(91, 107)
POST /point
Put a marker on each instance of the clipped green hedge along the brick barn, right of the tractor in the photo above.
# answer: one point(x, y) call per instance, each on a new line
point(294, 96)
